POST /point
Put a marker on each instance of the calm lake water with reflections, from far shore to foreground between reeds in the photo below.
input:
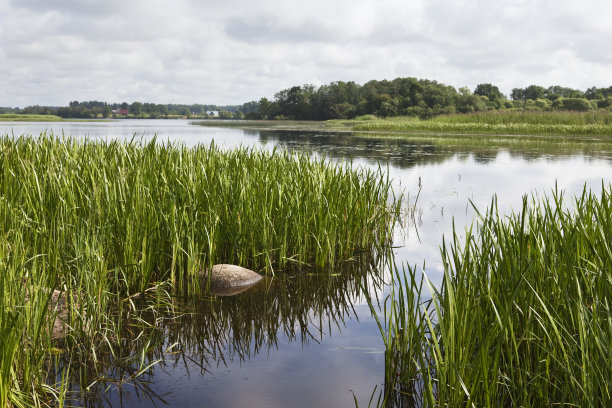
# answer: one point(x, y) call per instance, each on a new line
point(310, 340)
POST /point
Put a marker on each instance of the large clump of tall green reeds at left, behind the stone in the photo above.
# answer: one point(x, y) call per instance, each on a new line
point(106, 221)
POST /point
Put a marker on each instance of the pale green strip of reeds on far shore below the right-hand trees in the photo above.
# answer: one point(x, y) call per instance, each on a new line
point(598, 123)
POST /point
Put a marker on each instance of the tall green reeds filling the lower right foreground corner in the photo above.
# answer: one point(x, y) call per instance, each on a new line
point(523, 317)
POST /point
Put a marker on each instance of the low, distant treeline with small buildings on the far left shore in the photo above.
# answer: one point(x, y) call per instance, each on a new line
point(97, 109)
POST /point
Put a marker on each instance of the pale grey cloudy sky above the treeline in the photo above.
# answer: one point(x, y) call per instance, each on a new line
point(234, 51)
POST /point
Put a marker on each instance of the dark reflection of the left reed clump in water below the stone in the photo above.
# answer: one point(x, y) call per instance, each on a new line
point(202, 333)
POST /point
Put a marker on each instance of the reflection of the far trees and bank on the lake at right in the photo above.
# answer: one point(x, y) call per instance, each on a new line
point(410, 151)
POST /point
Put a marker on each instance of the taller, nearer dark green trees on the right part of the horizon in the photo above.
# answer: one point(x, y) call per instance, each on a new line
point(416, 97)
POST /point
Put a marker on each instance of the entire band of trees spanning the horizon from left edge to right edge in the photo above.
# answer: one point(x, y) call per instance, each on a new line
point(344, 100)
